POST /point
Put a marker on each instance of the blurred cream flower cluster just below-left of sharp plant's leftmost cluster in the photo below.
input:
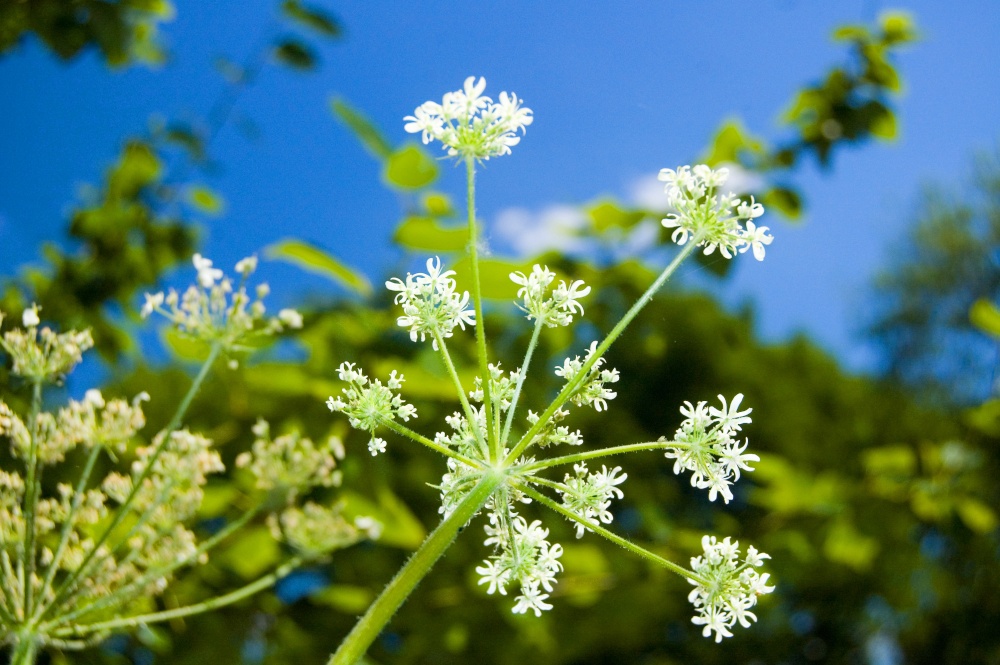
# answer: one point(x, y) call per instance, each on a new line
point(290, 462)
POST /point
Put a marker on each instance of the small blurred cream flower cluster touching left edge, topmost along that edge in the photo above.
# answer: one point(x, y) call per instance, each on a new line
point(41, 354)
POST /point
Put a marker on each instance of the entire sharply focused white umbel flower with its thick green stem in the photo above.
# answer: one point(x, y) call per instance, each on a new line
point(499, 456)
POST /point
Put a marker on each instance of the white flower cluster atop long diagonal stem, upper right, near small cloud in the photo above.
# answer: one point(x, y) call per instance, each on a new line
point(705, 215)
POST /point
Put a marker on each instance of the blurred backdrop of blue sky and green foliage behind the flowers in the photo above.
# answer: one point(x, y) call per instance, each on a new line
point(138, 132)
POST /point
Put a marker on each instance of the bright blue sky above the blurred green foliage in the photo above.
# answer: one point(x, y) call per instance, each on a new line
point(619, 90)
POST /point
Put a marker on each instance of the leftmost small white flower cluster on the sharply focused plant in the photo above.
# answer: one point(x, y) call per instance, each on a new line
point(368, 404)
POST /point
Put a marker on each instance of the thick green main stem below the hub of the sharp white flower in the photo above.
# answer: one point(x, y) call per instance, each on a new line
point(354, 646)
